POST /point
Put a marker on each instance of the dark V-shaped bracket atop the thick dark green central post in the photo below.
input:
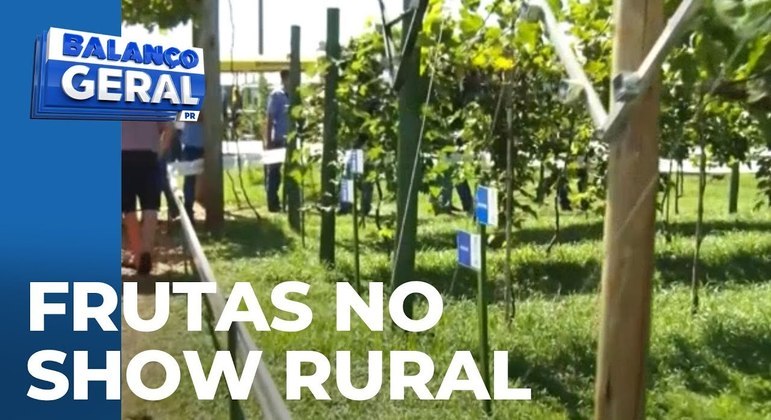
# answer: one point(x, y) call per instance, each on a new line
point(415, 13)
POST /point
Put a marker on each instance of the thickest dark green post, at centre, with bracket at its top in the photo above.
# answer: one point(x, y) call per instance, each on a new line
point(411, 97)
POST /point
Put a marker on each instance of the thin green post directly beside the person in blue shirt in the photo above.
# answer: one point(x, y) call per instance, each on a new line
point(291, 185)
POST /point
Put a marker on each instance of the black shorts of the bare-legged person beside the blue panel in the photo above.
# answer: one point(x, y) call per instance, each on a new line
point(140, 179)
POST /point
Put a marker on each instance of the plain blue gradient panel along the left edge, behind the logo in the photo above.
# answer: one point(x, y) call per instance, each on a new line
point(59, 218)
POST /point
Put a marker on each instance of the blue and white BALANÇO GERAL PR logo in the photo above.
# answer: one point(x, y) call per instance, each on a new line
point(88, 76)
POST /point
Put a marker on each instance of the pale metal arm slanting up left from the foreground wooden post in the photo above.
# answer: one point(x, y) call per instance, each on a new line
point(535, 10)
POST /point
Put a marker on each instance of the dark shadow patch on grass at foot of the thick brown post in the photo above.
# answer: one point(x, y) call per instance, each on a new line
point(244, 237)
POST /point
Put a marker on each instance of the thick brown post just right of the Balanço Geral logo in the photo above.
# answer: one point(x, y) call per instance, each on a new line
point(214, 198)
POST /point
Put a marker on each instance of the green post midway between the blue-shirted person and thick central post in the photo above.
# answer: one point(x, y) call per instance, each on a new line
point(329, 154)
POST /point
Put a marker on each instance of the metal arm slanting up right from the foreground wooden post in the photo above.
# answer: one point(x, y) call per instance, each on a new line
point(629, 86)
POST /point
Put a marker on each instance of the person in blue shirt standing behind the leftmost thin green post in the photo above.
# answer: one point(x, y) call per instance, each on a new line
point(275, 138)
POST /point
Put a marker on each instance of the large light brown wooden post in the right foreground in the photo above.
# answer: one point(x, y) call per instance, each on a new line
point(629, 226)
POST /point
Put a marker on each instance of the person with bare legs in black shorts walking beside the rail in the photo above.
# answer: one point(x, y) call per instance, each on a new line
point(141, 145)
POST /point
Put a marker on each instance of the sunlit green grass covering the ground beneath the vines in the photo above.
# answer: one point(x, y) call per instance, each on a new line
point(715, 365)
